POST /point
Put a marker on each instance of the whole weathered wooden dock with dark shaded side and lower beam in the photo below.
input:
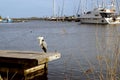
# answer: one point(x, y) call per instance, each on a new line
point(25, 62)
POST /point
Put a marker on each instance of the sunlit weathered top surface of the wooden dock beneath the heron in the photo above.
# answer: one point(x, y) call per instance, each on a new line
point(29, 54)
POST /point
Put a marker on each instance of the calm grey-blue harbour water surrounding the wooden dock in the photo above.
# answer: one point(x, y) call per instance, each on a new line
point(79, 44)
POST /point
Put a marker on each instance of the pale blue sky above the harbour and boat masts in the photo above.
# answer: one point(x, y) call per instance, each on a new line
point(40, 8)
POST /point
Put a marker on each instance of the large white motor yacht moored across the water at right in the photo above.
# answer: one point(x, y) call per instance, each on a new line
point(100, 16)
